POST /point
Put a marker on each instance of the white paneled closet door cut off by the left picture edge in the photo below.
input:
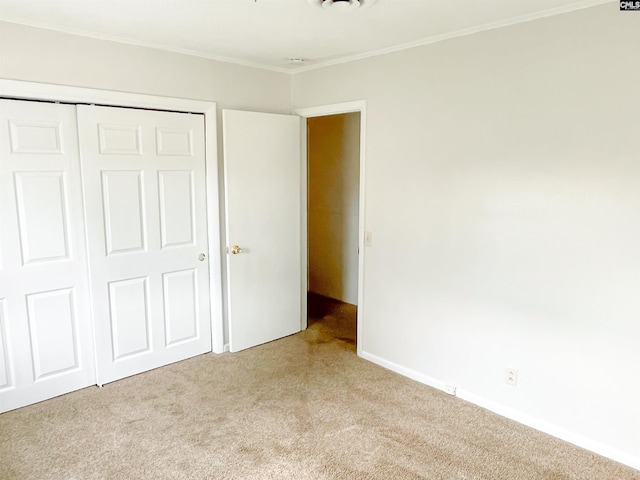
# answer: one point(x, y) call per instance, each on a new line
point(46, 346)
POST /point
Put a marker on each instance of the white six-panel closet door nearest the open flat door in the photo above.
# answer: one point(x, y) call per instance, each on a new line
point(144, 183)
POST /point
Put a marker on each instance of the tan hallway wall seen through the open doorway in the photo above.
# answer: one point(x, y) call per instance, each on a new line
point(334, 168)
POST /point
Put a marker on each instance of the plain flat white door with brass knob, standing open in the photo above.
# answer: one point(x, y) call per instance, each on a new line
point(262, 186)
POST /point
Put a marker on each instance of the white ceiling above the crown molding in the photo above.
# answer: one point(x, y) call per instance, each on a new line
point(267, 33)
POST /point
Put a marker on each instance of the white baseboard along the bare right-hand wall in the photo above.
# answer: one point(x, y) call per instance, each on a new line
point(628, 459)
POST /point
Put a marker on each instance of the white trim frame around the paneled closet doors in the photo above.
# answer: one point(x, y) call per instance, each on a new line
point(21, 90)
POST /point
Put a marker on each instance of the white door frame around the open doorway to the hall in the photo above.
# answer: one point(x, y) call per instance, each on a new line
point(359, 106)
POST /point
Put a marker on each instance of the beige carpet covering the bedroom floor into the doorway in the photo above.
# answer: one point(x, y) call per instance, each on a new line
point(304, 407)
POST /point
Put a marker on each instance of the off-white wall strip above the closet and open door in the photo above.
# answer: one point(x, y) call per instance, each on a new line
point(39, 55)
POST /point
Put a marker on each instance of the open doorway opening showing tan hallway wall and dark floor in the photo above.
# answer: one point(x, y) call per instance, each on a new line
point(333, 222)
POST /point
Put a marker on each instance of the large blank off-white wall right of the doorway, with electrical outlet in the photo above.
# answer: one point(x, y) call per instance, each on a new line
point(503, 194)
